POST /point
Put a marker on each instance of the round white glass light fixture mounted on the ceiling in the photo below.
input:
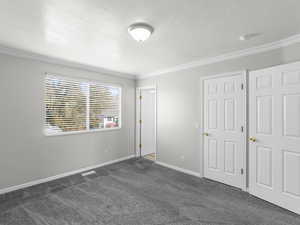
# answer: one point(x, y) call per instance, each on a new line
point(140, 31)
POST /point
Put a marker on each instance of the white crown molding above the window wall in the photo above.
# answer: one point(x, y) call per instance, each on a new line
point(58, 61)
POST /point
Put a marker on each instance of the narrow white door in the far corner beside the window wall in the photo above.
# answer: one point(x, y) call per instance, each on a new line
point(148, 121)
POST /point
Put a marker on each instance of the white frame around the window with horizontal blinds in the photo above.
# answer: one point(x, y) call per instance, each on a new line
point(88, 130)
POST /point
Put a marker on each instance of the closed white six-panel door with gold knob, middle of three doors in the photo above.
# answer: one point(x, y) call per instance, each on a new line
point(225, 129)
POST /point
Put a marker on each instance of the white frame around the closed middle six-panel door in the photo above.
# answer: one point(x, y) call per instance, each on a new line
point(245, 74)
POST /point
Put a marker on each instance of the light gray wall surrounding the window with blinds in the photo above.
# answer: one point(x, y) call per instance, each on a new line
point(25, 153)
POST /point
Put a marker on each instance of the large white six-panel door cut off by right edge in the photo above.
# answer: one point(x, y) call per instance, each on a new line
point(274, 148)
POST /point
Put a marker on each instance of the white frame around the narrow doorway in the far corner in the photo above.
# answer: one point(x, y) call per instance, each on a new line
point(138, 118)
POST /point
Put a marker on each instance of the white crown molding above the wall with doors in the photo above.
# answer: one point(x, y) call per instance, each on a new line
point(232, 55)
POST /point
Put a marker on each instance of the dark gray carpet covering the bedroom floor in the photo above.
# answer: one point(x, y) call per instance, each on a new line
point(138, 192)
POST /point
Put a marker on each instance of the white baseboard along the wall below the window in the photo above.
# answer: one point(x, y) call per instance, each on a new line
point(44, 180)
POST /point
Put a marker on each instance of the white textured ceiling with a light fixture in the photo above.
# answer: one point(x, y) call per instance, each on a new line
point(94, 32)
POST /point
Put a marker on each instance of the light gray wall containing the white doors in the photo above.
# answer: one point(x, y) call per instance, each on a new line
point(179, 101)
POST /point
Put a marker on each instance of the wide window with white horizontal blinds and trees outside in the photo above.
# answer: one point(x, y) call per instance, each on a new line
point(73, 105)
